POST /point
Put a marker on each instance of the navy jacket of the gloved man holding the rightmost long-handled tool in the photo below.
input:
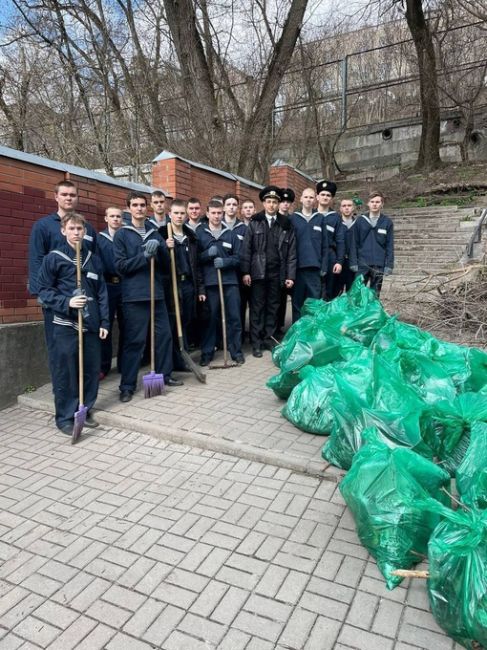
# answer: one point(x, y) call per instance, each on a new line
point(228, 245)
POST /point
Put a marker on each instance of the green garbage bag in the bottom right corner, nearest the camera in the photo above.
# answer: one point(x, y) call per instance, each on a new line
point(457, 583)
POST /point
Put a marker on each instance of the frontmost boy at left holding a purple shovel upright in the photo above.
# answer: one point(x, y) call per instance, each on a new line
point(57, 288)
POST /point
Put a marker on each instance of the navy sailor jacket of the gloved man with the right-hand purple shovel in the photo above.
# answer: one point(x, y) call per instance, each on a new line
point(134, 267)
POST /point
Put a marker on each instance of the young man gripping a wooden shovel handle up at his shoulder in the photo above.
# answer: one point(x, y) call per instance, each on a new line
point(189, 279)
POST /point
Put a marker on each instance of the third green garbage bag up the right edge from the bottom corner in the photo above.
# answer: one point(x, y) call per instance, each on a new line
point(453, 421)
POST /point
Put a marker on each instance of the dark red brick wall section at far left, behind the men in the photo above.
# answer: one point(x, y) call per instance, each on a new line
point(26, 194)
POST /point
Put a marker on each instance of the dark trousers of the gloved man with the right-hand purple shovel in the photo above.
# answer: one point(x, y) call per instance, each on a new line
point(137, 326)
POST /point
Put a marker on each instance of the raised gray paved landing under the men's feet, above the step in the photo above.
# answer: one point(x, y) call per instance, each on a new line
point(232, 413)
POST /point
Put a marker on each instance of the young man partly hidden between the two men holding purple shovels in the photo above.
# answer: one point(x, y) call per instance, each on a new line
point(114, 221)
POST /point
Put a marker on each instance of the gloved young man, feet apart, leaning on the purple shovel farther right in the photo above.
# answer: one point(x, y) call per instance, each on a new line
point(134, 246)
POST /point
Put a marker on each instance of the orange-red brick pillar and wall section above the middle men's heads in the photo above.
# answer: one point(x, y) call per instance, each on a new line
point(184, 180)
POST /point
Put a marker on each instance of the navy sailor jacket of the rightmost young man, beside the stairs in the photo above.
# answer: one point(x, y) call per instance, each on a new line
point(371, 246)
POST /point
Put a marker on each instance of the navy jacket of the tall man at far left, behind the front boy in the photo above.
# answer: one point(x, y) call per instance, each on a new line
point(45, 236)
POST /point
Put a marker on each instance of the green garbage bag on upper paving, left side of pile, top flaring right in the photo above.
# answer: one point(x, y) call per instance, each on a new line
point(309, 405)
